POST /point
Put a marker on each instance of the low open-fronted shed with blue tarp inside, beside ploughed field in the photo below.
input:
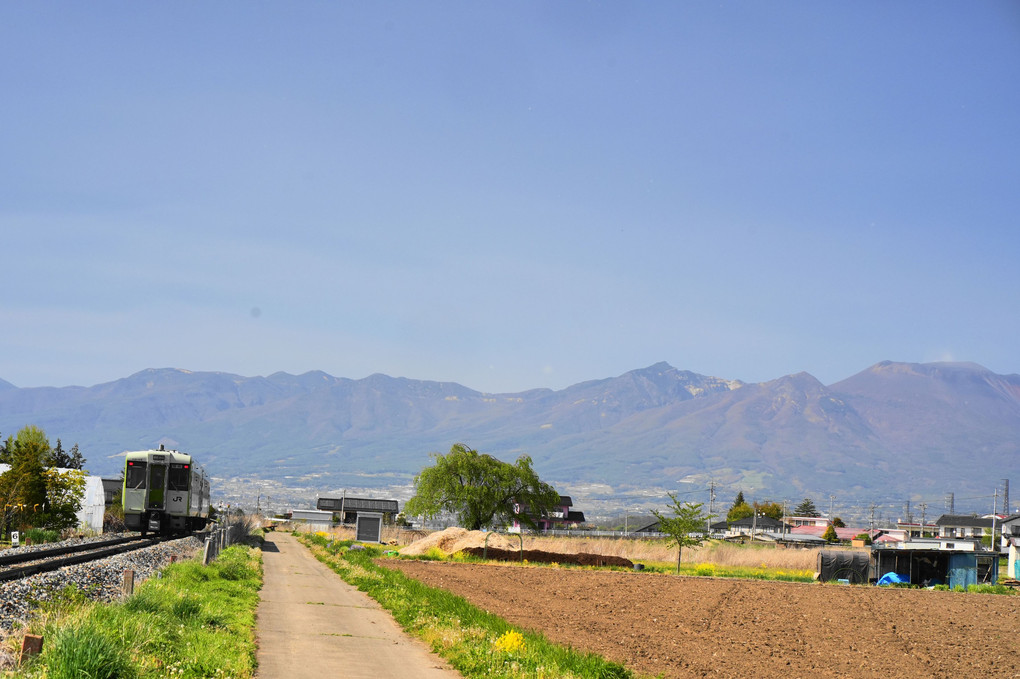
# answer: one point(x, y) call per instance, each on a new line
point(936, 562)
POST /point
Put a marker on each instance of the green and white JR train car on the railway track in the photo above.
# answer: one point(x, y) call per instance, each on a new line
point(165, 493)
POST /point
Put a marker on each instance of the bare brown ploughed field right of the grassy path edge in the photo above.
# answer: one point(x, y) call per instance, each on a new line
point(695, 628)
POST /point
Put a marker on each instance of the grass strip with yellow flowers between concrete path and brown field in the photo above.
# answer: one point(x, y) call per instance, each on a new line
point(479, 645)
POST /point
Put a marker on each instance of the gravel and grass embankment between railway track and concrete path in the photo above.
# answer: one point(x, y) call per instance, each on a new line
point(185, 620)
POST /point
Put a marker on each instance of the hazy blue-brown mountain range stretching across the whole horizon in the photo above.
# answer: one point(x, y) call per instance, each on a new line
point(895, 428)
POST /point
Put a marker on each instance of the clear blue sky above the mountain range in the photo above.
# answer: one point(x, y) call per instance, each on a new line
point(507, 195)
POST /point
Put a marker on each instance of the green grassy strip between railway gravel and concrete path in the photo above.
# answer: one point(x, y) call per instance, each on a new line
point(195, 621)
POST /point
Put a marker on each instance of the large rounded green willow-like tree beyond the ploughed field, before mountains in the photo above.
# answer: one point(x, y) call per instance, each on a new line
point(481, 491)
